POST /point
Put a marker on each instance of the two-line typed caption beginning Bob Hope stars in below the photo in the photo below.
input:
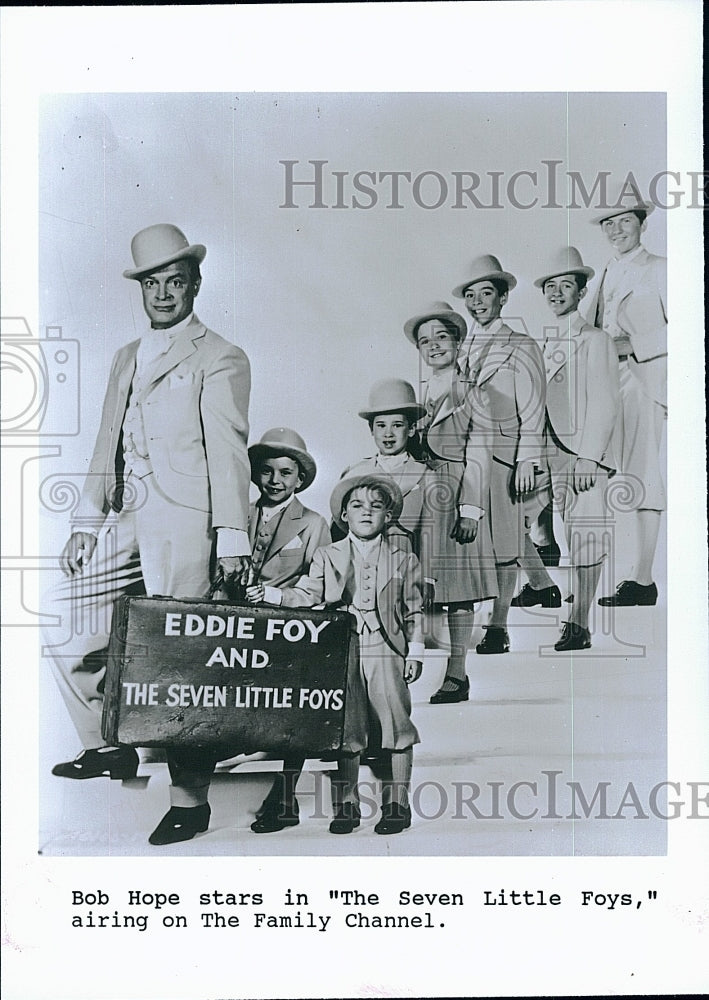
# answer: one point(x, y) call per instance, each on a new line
point(138, 910)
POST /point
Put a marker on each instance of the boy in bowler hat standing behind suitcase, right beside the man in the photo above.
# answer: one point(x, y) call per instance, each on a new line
point(284, 535)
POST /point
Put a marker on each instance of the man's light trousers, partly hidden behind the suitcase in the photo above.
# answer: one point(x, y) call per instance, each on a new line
point(156, 544)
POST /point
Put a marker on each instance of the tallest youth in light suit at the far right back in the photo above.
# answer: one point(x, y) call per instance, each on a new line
point(629, 303)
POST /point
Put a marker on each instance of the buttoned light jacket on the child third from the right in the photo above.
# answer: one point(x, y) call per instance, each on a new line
point(510, 376)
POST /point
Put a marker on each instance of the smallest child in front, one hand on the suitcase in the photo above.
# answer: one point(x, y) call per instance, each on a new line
point(381, 586)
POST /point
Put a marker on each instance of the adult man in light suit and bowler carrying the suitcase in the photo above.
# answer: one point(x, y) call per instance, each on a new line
point(165, 498)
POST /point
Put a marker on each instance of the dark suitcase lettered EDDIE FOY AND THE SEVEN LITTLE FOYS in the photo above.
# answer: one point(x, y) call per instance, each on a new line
point(229, 678)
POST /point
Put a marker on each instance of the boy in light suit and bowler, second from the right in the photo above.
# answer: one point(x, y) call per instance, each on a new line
point(582, 401)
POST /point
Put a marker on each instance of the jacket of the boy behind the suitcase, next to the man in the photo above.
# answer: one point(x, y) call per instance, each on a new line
point(298, 534)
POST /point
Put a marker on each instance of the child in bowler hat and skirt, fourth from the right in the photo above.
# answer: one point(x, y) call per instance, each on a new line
point(457, 447)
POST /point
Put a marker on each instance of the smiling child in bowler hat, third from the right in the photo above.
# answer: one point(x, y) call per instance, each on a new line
point(508, 369)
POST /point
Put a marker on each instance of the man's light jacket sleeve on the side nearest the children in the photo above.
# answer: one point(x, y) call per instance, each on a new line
point(224, 406)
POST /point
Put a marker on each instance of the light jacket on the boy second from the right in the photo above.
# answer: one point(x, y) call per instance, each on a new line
point(582, 389)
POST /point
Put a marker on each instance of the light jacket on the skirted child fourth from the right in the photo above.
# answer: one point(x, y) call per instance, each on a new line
point(460, 431)
